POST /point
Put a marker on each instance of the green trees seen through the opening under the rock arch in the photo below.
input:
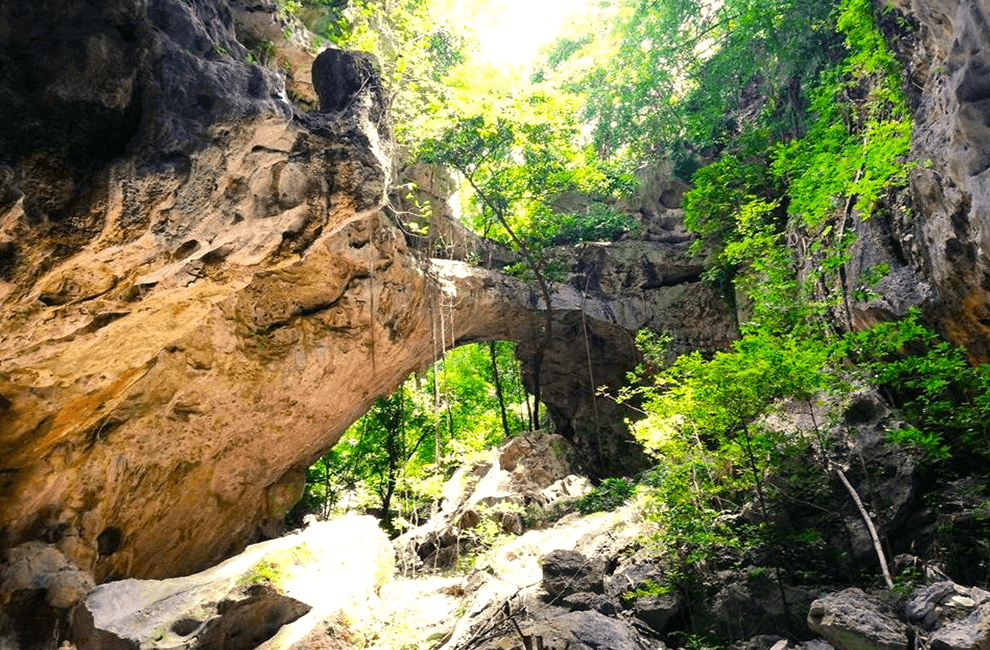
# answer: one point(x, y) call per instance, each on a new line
point(389, 456)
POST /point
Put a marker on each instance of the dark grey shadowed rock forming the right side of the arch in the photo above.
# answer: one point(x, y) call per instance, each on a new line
point(613, 290)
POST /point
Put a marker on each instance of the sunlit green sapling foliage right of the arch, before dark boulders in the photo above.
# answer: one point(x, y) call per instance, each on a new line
point(702, 425)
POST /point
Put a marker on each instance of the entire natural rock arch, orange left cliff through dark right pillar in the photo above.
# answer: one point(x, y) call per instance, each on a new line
point(199, 291)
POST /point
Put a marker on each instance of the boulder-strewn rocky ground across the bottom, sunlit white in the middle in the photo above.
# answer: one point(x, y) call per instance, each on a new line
point(507, 562)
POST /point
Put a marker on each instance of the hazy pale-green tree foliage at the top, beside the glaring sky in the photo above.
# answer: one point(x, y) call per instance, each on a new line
point(674, 71)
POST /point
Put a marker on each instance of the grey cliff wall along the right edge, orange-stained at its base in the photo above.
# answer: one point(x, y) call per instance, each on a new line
point(947, 58)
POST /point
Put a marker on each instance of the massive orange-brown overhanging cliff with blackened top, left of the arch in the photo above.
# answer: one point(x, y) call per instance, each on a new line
point(137, 315)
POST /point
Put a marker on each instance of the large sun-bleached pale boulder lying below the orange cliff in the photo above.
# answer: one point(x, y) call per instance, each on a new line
point(273, 590)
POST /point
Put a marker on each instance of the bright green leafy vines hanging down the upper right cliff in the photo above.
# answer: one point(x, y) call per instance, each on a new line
point(851, 160)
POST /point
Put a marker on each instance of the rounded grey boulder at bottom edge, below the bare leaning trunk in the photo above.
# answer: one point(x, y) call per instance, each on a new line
point(853, 620)
